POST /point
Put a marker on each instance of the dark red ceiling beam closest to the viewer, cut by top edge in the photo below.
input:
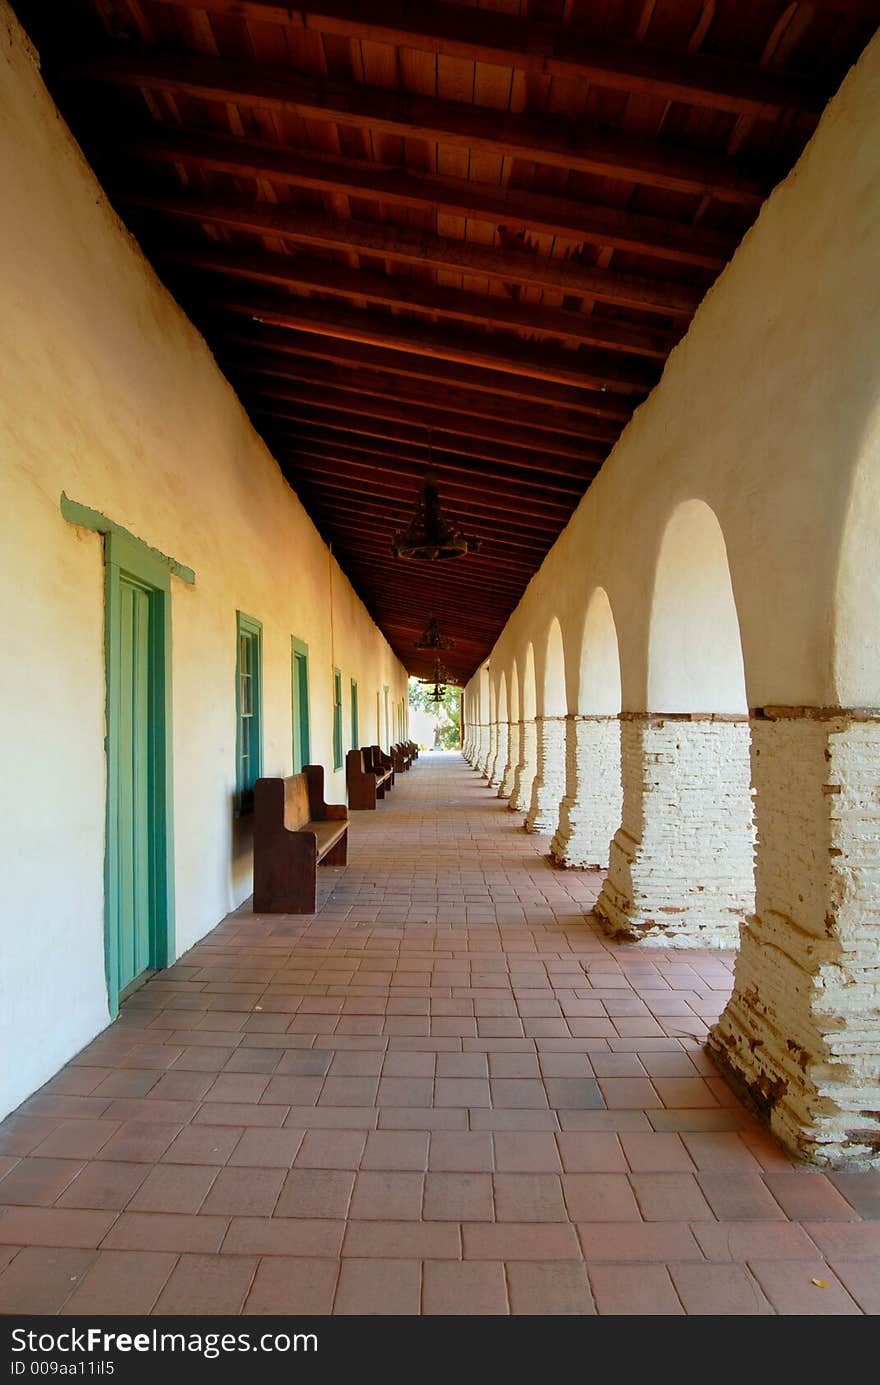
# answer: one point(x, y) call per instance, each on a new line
point(543, 49)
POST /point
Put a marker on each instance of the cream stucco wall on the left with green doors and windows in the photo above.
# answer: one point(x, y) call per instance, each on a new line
point(109, 394)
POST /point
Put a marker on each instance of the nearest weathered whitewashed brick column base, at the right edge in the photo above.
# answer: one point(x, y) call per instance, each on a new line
point(802, 1033)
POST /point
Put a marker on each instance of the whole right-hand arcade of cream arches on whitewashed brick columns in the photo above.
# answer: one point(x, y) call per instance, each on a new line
point(688, 696)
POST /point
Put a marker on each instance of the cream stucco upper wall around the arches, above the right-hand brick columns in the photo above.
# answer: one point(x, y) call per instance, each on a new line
point(768, 413)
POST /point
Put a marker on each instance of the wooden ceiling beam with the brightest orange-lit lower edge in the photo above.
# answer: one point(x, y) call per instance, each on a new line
point(547, 362)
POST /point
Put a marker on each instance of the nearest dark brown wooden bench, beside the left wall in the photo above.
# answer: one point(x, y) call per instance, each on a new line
point(293, 832)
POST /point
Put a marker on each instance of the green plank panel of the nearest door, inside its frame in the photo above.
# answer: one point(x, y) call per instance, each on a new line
point(137, 794)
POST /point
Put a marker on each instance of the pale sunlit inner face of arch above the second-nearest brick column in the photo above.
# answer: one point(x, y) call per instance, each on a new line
point(695, 660)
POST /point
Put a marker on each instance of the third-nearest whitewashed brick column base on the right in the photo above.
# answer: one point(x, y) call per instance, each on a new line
point(591, 810)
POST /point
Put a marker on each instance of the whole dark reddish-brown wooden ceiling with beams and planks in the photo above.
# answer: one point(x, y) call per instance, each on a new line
point(421, 232)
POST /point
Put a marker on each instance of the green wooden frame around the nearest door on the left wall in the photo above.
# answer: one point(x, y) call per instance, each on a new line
point(128, 557)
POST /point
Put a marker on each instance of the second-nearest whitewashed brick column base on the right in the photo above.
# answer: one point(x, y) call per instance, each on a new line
point(681, 870)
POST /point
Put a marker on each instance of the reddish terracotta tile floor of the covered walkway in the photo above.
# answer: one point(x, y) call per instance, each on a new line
point(446, 1093)
